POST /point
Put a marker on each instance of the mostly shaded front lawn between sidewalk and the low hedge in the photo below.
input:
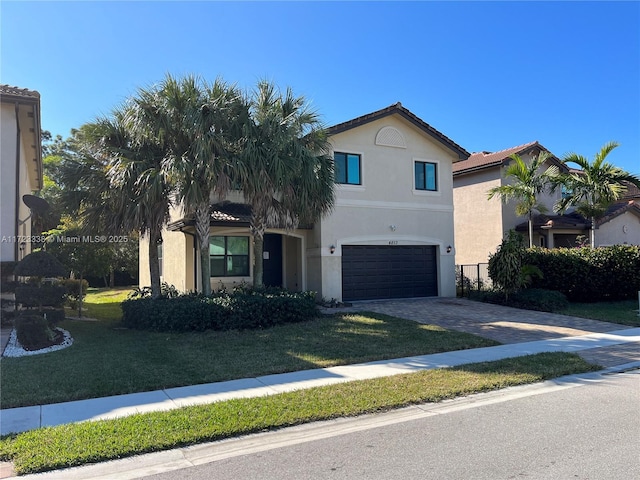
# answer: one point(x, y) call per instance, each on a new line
point(106, 359)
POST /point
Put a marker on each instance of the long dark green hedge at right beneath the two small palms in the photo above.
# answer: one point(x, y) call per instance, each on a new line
point(588, 275)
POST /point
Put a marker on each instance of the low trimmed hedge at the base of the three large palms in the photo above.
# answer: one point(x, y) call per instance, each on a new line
point(247, 309)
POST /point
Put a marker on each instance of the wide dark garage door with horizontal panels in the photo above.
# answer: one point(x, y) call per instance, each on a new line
point(370, 272)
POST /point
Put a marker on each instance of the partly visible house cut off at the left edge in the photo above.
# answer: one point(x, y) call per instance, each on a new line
point(21, 157)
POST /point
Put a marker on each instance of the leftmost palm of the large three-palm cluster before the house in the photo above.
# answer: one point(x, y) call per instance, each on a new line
point(117, 182)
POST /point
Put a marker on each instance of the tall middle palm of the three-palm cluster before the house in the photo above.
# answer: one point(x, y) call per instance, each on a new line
point(195, 121)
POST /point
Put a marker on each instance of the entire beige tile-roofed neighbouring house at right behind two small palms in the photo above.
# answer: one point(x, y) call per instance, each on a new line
point(481, 223)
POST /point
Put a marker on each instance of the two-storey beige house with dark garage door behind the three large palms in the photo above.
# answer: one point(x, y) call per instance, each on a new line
point(390, 234)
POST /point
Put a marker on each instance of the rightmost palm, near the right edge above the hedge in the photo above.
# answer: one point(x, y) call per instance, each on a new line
point(595, 187)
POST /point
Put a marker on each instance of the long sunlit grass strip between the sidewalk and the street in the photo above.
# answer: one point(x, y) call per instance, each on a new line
point(81, 443)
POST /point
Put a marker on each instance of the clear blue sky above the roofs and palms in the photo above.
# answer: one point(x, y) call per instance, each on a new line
point(490, 75)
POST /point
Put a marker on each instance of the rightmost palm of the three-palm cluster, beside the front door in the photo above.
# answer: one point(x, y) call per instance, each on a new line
point(284, 170)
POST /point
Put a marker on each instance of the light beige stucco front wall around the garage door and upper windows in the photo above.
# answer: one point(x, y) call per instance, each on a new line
point(386, 209)
